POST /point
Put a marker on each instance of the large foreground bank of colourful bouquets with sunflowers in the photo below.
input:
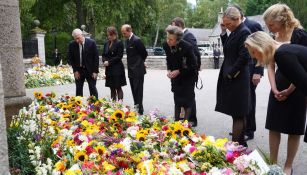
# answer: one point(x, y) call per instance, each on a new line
point(74, 136)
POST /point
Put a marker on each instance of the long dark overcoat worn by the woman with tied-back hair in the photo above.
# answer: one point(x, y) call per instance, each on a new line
point(233, 96)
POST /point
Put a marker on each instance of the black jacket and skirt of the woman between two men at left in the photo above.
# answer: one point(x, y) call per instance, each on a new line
point(115, 72)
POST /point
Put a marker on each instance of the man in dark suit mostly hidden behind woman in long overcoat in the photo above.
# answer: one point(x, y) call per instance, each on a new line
point(256, 72)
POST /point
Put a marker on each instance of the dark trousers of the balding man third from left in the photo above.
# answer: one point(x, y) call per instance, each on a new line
point(136, 84)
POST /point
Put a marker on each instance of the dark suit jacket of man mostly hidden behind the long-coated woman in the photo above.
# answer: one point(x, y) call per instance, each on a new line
point(254, 26)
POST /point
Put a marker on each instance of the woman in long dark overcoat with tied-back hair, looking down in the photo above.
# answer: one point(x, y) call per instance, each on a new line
point(233, 91)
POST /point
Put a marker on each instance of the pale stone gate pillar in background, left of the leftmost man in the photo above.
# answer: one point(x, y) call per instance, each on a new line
point(40, 36)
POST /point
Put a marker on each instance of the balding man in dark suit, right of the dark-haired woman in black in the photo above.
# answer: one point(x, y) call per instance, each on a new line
point(136, 56)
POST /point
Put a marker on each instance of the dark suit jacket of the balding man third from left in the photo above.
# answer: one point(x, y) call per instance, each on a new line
point(136, 56)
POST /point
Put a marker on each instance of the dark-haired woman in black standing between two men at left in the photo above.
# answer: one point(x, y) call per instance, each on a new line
point(112, 60)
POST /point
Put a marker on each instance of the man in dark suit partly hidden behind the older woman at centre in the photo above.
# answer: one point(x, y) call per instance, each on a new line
point(190, 38)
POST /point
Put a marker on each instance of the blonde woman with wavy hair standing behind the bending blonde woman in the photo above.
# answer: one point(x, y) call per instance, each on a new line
point(291, 103)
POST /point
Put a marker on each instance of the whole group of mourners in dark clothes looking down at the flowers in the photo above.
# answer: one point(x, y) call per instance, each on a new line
point(247, 49)
